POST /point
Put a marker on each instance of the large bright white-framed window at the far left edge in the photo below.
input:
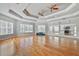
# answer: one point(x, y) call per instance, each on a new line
point(6, 27)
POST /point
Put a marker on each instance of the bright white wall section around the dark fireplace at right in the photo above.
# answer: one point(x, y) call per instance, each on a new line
point(72, 29)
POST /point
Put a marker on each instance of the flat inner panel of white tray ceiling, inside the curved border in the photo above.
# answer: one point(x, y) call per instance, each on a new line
point(33, 8)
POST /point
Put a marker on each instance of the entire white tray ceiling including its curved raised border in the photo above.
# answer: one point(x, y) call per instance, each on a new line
point(34, 8)
